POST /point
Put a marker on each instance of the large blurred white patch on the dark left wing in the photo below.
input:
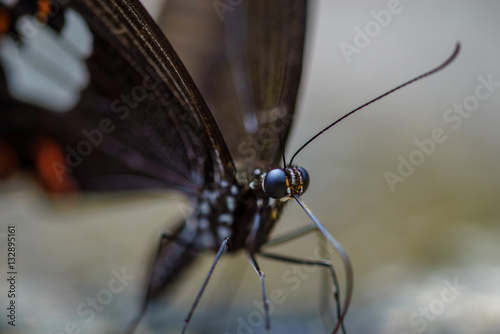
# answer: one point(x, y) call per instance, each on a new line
point(43, 71)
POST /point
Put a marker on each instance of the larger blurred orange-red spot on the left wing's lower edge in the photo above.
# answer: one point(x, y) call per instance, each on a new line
point(49, 161)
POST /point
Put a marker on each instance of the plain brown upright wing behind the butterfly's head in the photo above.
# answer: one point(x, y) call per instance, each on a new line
point(254, 54)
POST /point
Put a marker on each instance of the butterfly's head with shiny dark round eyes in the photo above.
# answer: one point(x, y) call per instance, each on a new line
point(283, 183)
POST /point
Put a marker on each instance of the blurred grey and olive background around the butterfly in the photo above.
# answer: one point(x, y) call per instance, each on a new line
point(424, 251)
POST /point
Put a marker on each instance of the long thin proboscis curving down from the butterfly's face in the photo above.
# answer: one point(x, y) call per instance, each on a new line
point(343, 254)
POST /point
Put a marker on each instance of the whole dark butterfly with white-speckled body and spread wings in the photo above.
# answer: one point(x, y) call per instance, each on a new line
point(94, 96)
